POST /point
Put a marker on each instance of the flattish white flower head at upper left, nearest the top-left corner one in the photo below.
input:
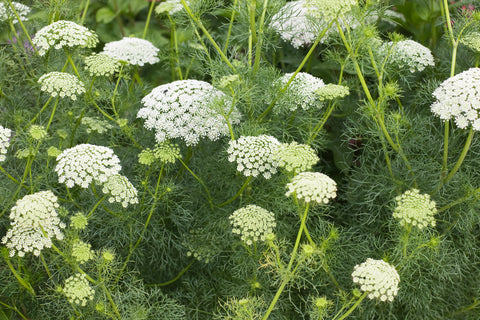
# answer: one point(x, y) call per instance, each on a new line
point(61, 34)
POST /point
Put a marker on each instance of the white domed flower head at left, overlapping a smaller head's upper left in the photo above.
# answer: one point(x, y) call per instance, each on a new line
point(86, 163)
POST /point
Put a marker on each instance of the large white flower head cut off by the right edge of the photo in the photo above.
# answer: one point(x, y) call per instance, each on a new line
point(458, 97)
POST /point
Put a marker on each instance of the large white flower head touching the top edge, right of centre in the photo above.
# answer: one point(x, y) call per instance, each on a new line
point(294, 24)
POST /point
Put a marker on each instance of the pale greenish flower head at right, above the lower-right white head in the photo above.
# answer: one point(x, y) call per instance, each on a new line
point(415, 209)
